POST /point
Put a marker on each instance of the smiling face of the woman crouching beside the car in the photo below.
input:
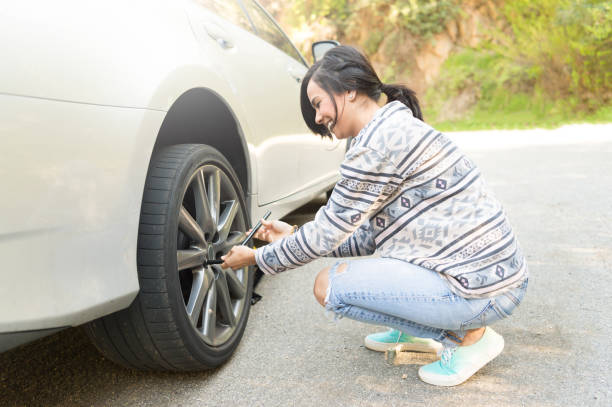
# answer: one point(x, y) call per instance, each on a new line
point(325, 112)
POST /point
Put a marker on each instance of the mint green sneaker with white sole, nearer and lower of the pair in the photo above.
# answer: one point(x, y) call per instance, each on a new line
point(459, 364)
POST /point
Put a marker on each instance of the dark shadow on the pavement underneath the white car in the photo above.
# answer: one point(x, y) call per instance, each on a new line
point(66, 369)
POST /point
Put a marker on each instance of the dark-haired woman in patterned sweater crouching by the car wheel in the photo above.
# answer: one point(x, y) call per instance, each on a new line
point(449, 263)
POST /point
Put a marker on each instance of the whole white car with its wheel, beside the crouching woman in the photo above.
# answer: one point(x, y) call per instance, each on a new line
point(138, 140)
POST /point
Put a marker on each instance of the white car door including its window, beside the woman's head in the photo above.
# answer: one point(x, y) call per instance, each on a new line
point(265, 71)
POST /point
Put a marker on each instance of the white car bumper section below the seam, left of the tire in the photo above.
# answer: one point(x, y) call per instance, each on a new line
point(73, 204)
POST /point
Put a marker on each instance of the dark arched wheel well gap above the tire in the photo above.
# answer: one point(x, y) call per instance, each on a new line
point(200, 116)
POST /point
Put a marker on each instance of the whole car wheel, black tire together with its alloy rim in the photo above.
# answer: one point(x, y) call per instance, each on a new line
point(158, 331)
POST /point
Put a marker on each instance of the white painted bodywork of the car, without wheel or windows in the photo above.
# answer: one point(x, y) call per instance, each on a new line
point(84, 89)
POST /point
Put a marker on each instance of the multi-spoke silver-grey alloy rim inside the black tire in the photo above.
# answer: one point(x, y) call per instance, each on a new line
point(211, 221)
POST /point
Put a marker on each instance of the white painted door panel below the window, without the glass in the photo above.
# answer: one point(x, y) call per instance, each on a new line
point(278, 138)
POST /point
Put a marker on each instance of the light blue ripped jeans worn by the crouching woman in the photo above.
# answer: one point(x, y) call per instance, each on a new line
point(412, 299)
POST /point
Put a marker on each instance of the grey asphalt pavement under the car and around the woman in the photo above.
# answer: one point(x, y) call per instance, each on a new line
point(556, 187)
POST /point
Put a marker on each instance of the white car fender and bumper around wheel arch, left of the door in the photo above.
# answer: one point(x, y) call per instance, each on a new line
point(80, 140)
